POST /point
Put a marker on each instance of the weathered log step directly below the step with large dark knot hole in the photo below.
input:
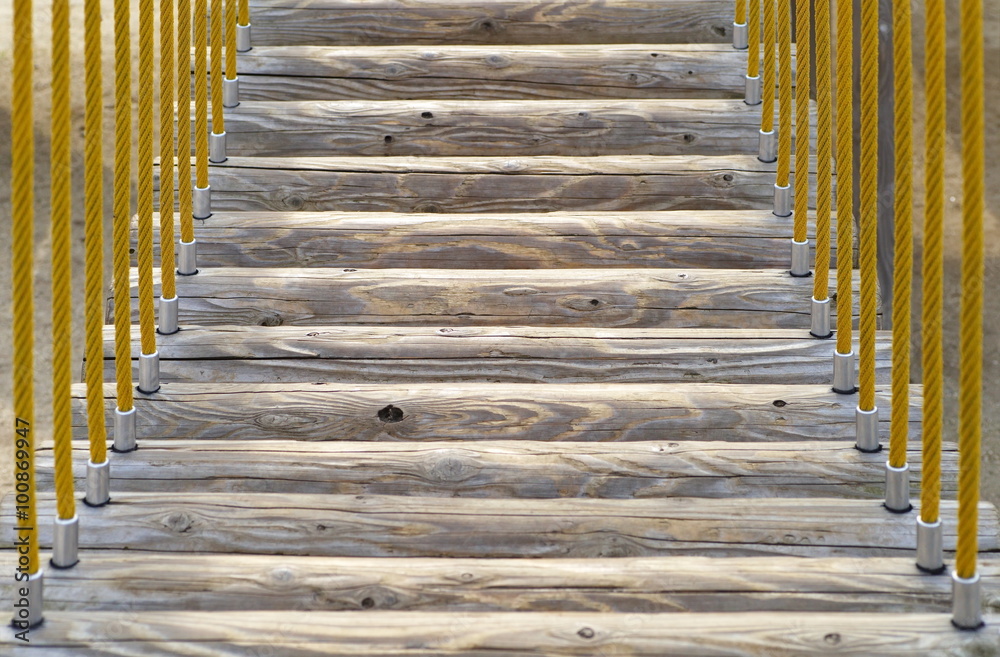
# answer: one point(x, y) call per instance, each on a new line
point(504, 469)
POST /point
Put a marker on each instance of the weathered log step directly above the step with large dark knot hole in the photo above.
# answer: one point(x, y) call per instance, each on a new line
point(283, 354)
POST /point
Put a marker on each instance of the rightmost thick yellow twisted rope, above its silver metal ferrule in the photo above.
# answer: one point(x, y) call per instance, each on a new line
point(971, 320)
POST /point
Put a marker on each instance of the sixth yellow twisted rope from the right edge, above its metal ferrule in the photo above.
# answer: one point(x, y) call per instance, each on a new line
point(824, 128)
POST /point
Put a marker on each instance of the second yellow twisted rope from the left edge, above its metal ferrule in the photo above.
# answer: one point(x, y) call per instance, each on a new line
point(62, 219)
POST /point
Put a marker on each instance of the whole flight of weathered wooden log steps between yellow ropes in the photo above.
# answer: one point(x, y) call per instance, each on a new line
point(493, 350)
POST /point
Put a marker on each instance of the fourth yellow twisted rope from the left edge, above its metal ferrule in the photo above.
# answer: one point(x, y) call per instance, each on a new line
point(122, 189)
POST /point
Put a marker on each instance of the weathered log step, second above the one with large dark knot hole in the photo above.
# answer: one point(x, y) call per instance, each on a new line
point(634, 298)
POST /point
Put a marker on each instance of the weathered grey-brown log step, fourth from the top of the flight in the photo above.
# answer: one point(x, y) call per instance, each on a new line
point(487, 184)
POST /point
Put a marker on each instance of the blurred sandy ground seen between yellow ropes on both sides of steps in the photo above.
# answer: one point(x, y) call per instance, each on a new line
point(991, 379)
